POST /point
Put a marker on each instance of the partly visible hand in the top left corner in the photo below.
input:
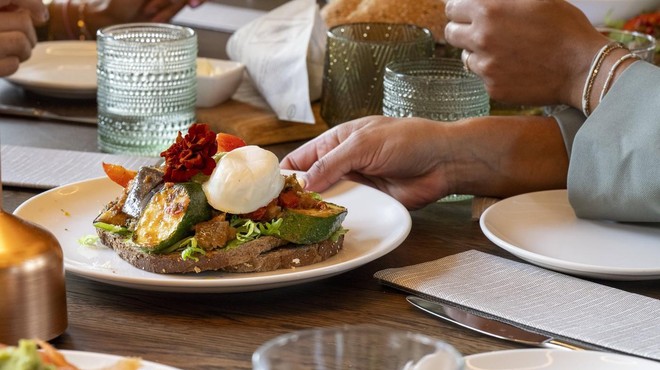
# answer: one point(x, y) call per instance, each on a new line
point(17, 35)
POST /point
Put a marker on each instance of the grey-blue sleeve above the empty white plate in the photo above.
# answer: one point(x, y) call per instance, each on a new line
point(614, 170)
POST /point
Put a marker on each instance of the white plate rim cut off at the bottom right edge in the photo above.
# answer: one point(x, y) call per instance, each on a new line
point(556, 359)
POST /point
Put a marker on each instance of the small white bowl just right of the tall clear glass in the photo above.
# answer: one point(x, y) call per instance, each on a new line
point(217, 80)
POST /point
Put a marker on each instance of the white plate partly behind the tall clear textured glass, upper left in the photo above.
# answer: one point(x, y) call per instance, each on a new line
point(64, 69)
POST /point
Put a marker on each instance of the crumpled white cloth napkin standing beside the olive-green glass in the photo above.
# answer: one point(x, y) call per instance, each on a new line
point(283, 52)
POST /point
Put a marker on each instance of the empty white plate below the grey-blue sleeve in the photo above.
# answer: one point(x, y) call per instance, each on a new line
point(542, 228)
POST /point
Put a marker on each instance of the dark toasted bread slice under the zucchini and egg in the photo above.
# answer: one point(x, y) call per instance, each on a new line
point(263, 254)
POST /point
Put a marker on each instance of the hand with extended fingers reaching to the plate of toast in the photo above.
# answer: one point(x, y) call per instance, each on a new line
point(406, 158)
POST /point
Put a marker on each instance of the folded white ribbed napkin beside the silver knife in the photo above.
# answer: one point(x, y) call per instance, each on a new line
point(545, 301)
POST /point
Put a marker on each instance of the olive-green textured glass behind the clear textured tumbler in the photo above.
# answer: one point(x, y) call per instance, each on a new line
point(355, 61)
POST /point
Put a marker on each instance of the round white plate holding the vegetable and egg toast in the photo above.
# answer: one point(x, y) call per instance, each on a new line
point(377, 224)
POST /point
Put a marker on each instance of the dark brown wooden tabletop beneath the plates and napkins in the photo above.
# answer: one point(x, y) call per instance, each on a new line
point(221, 331)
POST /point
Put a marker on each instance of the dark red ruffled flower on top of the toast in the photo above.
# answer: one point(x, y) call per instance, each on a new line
point(191, 154)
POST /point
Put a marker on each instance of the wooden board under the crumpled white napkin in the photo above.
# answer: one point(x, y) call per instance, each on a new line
point(248, 116)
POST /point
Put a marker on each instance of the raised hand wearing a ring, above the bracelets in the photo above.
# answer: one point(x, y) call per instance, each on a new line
point(527, 52)
